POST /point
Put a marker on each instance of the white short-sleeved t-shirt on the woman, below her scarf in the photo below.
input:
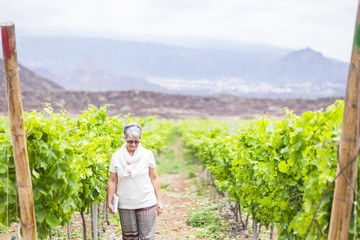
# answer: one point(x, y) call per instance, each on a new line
point(135, 192)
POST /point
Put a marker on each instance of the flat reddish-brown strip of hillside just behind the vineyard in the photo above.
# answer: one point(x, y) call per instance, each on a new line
point(141, 103)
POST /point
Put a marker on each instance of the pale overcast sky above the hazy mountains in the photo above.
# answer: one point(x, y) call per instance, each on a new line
point(326, 26)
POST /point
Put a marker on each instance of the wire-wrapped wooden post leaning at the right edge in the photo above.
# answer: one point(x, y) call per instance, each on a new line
point(348, 148)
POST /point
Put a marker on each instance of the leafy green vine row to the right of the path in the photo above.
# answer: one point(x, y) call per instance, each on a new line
point(277, 170)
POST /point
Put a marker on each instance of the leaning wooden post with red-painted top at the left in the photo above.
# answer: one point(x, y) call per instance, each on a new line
point(23, 177)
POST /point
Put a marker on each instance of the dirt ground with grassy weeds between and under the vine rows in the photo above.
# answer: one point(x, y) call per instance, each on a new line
point(180, 196)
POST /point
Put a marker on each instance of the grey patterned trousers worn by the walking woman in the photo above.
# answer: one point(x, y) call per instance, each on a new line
point(138, 224)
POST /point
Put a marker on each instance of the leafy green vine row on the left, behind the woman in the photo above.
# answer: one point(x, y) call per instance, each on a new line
point(69, 161)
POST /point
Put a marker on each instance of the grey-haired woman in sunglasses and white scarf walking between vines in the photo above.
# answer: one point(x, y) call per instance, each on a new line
point(133, 172)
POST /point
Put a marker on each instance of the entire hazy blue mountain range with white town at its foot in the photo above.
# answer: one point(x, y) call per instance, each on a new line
point(252, 71)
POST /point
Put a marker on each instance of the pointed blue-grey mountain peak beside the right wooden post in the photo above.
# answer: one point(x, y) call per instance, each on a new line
point(306, 72)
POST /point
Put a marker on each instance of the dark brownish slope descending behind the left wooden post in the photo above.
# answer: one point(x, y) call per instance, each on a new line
point(29, 81)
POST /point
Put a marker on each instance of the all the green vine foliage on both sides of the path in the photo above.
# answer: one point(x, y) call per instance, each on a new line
point(276, 170)
